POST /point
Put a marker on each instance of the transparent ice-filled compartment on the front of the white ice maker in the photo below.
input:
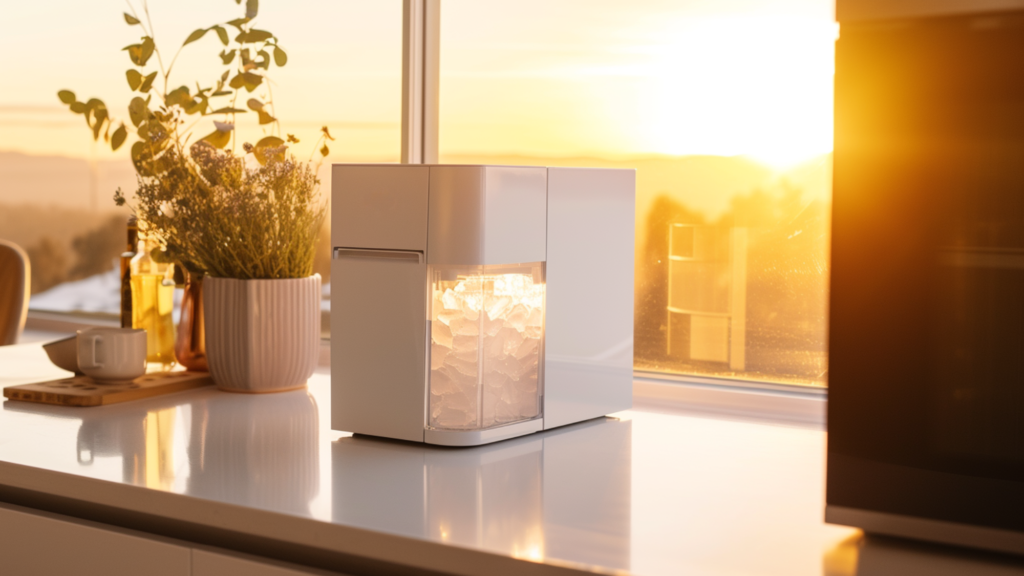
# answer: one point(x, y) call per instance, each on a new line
point(487, 341)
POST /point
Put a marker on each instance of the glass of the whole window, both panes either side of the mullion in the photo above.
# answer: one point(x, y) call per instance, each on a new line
point(723, 108)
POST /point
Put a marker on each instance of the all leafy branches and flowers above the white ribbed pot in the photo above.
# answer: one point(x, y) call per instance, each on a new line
point(203, 203)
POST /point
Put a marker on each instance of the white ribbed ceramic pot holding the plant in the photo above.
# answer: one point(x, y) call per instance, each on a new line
point(262, 336)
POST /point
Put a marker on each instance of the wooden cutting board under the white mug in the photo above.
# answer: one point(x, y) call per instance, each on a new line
point(84, 392)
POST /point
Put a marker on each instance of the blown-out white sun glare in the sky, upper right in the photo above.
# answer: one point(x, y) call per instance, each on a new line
point(743, 86)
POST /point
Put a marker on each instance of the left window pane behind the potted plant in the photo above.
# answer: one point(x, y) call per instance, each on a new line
point(344, 71)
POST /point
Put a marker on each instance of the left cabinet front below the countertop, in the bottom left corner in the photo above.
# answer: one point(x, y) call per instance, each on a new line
point(39, 544)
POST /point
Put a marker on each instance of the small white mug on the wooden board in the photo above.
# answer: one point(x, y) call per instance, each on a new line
point(112, 354)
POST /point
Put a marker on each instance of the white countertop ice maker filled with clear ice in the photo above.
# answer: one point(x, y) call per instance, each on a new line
point(475, 304)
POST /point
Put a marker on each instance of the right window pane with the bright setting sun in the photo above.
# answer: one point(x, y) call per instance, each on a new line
point(723, 108)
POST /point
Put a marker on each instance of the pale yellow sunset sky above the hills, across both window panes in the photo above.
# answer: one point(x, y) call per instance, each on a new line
point(601, 78)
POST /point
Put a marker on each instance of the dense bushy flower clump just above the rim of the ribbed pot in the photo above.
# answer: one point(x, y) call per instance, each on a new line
point(228, 220)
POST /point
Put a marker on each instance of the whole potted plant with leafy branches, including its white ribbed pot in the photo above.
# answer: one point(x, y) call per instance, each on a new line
point(247, 222)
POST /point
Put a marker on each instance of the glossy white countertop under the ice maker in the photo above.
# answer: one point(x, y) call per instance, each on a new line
point(639, 493)
